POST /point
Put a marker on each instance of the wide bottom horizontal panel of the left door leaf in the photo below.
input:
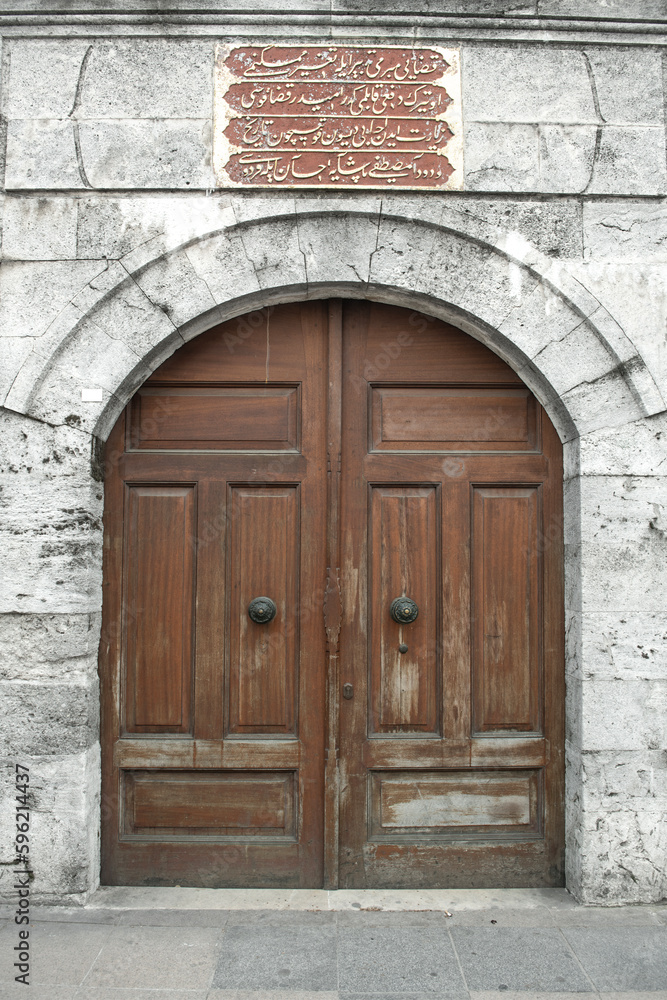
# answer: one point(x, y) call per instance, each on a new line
point(208, 804)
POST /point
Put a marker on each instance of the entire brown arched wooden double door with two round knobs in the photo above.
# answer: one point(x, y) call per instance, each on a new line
point(333, 636)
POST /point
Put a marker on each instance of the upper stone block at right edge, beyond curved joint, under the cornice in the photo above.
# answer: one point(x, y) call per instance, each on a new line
point(628, 82)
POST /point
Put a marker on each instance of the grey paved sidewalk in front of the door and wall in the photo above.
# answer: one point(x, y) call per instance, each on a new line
point(229, 944)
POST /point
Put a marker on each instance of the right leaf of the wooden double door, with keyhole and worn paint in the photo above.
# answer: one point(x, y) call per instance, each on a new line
point(457, 779)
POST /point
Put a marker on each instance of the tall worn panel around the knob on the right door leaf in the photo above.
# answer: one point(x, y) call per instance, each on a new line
point(404, 553)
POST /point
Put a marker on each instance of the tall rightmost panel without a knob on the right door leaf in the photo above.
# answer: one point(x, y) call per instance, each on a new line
point(506, 609)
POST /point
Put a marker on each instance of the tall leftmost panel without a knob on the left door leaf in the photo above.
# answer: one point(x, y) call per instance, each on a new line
point(158, 613)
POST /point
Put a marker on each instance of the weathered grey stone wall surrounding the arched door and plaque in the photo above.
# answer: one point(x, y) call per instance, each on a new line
point(117, 249)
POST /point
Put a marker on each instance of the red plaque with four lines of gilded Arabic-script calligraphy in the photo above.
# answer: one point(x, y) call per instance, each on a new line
point(332, 116)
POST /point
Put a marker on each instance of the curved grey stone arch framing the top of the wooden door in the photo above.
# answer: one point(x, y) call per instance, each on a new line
point(527, 308)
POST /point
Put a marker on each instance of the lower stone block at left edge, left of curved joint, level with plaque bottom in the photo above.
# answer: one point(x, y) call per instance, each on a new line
point(41, 154)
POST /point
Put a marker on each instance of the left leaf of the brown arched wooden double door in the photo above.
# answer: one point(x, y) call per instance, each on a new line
point(216, 775)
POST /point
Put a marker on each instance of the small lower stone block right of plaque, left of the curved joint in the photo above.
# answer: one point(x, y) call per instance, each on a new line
point(566, 157)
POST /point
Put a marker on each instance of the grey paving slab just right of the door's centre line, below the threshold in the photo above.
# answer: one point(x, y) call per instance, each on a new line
point(407, 959)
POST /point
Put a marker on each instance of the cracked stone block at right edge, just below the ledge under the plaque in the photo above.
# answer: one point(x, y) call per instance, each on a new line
point(625, 231)
